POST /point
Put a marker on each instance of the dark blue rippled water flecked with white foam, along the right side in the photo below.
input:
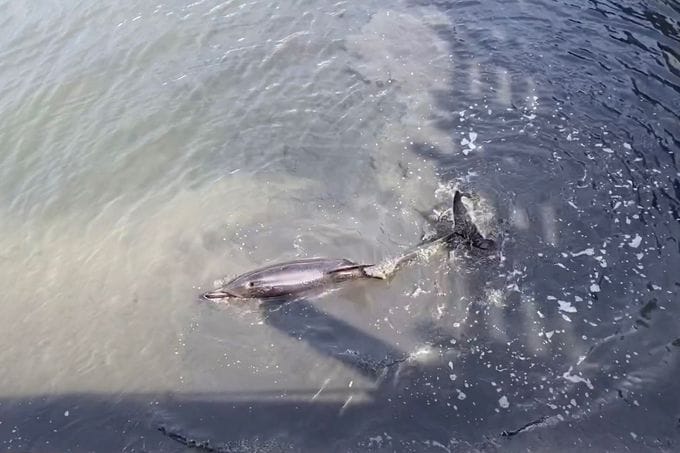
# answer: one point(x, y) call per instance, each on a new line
point(602, 137)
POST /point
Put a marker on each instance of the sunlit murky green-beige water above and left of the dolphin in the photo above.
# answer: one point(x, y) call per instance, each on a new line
point(149, 151)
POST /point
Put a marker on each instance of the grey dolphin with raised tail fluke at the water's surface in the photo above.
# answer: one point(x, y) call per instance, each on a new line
point(293, 278)
